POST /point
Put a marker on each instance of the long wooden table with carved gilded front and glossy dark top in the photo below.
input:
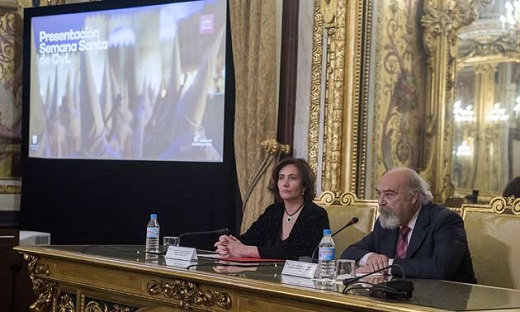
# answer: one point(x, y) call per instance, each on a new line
point(122, 278)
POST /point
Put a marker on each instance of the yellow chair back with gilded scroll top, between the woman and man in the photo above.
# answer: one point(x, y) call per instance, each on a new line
point(341, 210)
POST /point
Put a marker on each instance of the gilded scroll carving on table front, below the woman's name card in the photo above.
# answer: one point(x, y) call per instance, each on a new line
point(189, 294)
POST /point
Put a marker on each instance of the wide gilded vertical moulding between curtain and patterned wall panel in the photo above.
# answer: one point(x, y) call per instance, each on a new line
point(340, 53)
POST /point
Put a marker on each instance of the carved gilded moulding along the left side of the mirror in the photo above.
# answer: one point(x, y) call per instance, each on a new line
point(442, 21)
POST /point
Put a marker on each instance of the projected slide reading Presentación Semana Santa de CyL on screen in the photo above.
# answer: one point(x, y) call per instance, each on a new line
point(144, 83)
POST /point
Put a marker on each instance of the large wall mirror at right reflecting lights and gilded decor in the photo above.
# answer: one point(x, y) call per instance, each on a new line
point(486, 100)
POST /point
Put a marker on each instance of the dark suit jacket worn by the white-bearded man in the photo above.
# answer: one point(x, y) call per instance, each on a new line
point(438, 248)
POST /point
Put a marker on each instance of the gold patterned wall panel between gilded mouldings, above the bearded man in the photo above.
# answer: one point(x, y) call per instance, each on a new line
point(398, 96)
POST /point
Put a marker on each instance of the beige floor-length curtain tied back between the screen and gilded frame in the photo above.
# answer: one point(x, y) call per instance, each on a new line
point(253, 31)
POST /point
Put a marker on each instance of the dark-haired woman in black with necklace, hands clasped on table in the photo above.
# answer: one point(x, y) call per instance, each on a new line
point(289, 228)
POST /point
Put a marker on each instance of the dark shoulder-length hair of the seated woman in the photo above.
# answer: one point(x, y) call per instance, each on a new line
point(307, 175)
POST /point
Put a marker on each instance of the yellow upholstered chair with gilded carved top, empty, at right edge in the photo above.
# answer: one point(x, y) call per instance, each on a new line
point(493, 231)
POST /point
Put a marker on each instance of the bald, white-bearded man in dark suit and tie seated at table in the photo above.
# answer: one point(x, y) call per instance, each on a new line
point(434, 245)
